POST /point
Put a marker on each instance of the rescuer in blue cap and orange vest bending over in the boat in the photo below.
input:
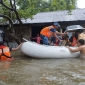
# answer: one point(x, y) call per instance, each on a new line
point(47, 32)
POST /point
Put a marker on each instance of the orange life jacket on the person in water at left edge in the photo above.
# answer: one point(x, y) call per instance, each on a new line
point(5, 53)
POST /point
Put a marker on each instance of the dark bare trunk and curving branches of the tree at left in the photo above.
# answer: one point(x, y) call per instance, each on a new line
point(13, 8)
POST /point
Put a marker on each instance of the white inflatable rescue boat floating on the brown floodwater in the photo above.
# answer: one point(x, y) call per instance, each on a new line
point(35, 50)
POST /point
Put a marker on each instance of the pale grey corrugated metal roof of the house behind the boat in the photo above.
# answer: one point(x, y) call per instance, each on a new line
point(57, 16)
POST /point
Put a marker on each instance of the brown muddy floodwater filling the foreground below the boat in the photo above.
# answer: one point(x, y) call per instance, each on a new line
point(30, 71)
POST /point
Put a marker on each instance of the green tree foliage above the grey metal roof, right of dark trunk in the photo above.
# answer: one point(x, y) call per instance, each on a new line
point(31, 7)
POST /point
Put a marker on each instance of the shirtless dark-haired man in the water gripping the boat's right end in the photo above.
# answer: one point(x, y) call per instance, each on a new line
point(81, 48)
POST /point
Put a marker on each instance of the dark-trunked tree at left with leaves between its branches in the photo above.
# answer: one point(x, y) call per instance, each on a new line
point(7, 8)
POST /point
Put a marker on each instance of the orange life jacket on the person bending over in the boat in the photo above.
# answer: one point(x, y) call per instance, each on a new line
point(46, 31)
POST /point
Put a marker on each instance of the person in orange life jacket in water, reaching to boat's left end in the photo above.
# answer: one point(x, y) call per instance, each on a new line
point(5, 51)
